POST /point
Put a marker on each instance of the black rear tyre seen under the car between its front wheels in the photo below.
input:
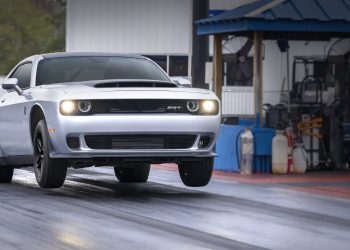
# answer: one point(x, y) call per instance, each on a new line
point(136, 173)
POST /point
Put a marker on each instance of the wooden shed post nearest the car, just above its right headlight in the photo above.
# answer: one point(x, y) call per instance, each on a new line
point(218, 65)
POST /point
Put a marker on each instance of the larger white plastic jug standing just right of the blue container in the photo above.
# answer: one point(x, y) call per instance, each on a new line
point(279, 153)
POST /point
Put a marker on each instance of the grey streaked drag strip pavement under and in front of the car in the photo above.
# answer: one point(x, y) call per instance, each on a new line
point(94, 211)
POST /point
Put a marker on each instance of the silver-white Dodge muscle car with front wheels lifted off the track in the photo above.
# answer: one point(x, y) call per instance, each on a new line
point(100, 109)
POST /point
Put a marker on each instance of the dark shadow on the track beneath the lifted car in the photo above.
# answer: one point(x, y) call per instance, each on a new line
point(104, 188)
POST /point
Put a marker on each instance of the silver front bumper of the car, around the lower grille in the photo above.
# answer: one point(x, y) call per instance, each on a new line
point(173, 124)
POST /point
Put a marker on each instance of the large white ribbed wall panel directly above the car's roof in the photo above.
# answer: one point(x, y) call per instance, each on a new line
point(130, 26)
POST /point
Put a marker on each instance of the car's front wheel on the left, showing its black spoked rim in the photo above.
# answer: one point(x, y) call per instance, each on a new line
point(49, 173)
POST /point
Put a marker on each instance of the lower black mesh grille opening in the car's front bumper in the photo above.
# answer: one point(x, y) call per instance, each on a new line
point(140, 141)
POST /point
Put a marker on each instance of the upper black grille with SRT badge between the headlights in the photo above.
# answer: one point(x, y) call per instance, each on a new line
point(138, 106)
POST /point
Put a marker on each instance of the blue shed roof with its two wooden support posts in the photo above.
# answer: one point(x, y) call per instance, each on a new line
point(312, 20)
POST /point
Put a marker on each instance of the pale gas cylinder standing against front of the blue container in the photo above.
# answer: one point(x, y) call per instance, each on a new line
point(247, 152)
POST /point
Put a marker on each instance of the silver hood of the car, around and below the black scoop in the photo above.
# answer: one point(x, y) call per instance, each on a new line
point(88, 91)
